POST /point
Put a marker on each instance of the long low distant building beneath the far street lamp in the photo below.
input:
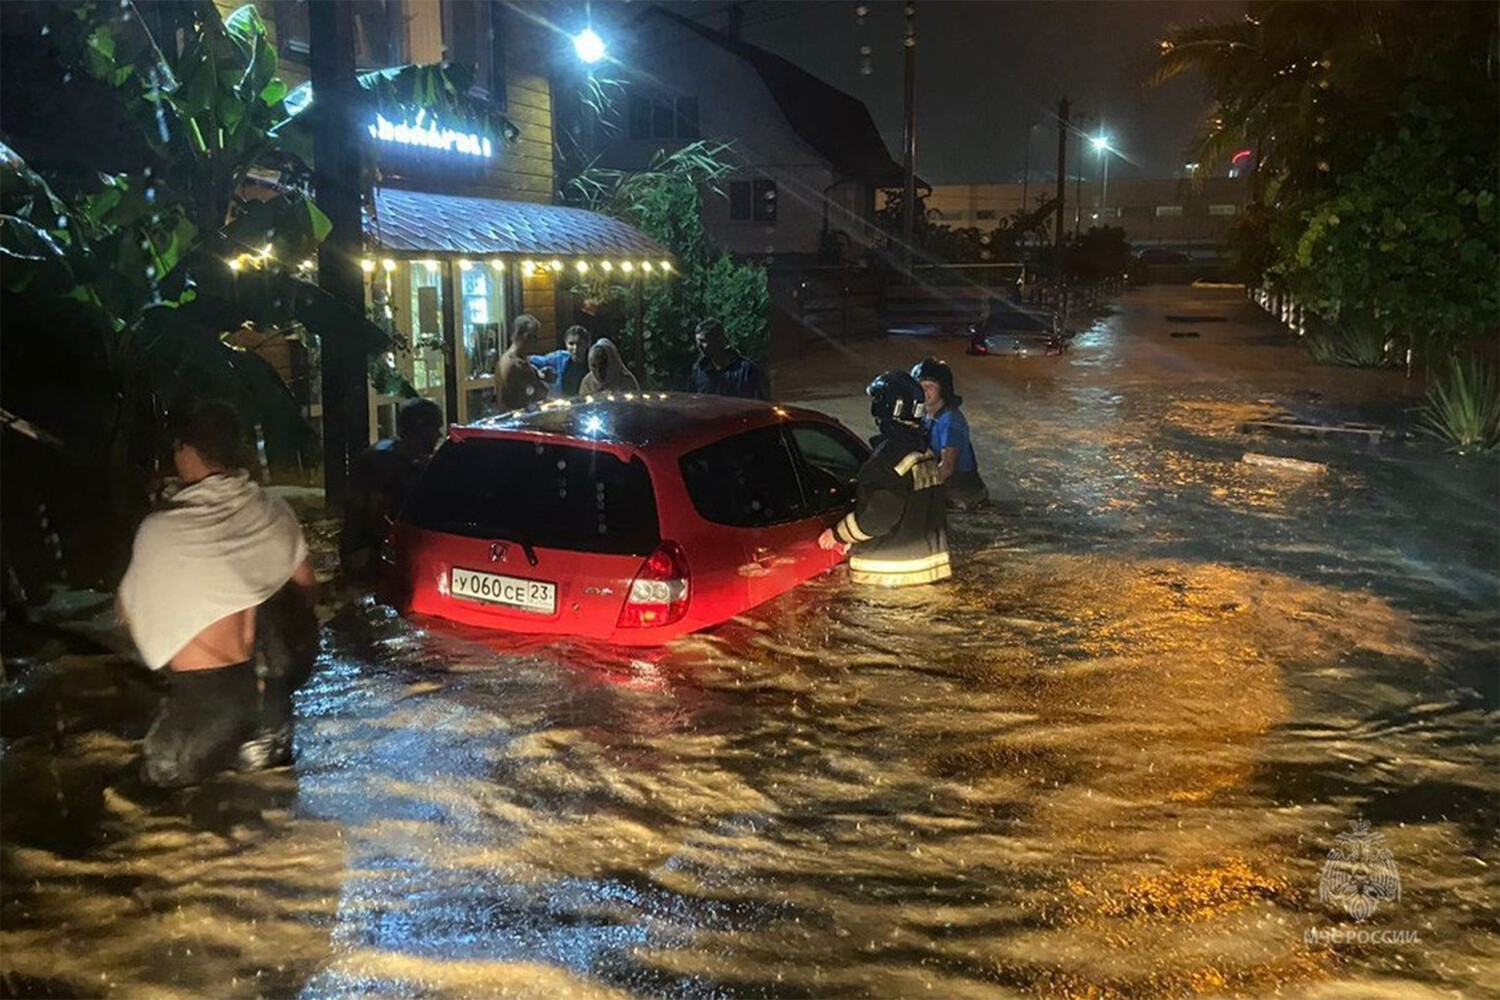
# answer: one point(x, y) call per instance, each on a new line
point(1175, 214)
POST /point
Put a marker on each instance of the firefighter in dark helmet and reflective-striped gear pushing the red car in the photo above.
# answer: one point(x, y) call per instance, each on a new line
point(899, 530)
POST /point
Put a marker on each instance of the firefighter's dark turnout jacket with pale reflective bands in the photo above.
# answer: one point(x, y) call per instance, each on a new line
point(899, 525)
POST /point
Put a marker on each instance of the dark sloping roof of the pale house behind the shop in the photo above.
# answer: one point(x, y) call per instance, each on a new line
point(835, 124)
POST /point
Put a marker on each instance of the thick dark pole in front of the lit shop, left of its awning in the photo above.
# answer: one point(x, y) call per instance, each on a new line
point(337, 182)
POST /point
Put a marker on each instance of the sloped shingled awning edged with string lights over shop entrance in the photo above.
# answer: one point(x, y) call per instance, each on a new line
point(416, 223)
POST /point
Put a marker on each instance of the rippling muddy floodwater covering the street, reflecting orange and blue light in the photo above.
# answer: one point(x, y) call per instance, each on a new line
point(1109, 759)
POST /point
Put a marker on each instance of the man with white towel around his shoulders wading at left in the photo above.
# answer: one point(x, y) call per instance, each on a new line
point(203, 572)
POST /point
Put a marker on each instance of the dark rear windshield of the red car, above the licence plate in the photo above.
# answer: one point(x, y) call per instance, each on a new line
point(548, 496)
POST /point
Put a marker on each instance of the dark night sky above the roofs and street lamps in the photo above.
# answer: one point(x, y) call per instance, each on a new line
point(988, 68)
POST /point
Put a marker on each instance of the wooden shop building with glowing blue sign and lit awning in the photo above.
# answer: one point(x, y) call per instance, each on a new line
point(461, 232)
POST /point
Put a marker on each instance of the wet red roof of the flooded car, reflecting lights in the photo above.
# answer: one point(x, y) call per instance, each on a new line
point(640, 421)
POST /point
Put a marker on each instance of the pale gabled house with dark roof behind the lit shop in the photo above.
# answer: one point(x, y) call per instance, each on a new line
point(811, 158)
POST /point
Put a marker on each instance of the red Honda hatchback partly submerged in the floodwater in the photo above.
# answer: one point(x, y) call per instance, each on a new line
point(632, 519)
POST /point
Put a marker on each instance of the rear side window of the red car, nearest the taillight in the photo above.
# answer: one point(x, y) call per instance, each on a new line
point(746, 482)
